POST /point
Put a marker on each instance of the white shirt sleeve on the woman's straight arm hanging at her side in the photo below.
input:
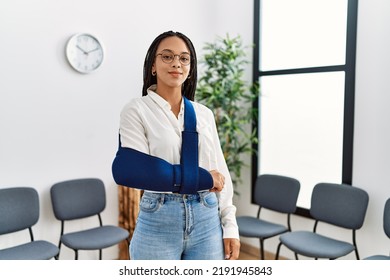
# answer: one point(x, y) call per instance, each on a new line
point(225, 197)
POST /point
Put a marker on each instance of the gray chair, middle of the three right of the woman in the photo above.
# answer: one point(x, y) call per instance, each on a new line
point(339, 205)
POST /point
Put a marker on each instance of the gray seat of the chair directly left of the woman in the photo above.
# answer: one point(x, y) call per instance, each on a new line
point(95, 238)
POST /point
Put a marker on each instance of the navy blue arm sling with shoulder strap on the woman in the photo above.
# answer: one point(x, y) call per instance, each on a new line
point(135, 169)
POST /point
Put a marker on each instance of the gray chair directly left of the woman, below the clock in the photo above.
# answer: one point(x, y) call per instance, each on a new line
point(78, 199)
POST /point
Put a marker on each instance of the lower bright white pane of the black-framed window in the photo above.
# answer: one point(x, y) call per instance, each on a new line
point(301, 121)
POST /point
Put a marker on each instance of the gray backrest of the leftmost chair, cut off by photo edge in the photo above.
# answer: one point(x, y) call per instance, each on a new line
point(19, 209)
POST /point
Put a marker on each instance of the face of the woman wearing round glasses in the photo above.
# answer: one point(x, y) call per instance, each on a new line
point(172, 73)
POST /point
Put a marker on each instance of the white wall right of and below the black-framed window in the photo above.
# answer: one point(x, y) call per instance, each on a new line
point(371, 160)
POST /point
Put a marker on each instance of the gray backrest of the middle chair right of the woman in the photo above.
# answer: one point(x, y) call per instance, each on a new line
point(339, 204)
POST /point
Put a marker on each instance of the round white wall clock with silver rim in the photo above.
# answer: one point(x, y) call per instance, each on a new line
point(84, 52)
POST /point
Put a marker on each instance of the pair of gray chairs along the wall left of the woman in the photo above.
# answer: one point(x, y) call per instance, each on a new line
point(71, 200)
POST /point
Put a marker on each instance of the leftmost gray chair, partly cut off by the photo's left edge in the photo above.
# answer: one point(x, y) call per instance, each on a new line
point(19, 210)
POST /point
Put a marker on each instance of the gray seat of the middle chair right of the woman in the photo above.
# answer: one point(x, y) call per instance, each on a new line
point(315, 245)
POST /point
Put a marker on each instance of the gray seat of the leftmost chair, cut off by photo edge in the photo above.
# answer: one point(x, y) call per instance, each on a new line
point(36, 250)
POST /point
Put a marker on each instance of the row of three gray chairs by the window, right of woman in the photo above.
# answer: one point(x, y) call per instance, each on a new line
point(340, 205)
